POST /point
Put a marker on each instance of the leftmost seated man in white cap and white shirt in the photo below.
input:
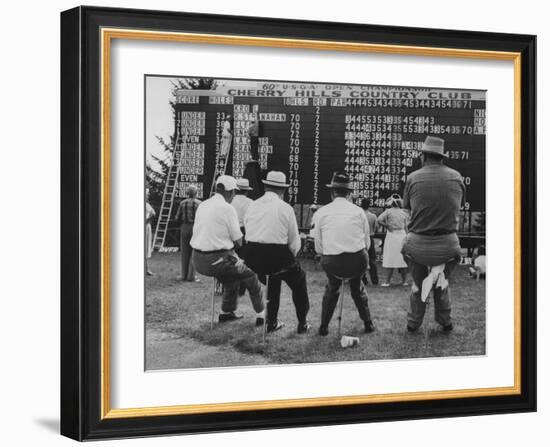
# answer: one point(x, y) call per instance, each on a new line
point(215, 234)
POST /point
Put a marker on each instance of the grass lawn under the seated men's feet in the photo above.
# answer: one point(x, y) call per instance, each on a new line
point(178, 331)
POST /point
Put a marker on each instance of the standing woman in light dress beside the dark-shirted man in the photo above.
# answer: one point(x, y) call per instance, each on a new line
point(394, 219)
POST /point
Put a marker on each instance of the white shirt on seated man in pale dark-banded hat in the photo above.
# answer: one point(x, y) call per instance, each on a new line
point(270, 220)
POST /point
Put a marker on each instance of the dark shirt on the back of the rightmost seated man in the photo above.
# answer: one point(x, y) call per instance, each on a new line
point(434, 195)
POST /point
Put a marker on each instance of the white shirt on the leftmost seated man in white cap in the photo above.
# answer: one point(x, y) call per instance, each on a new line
point(216, 225)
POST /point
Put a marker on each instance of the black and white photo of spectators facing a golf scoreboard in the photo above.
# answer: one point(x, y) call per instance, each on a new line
point(293, 222)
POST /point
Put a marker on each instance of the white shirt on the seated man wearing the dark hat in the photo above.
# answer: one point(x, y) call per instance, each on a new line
point(341, 227)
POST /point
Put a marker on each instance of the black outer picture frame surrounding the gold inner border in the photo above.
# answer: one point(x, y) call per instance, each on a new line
point(81, 223)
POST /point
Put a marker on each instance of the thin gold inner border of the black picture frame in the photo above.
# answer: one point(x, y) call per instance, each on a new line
point(107, 35)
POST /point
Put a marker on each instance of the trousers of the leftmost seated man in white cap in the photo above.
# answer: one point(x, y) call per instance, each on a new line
point(226, 267)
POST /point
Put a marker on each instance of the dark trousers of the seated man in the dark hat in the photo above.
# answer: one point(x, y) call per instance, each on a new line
point(345, 265)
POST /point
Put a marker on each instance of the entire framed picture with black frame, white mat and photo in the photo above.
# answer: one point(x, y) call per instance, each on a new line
point(273, 223)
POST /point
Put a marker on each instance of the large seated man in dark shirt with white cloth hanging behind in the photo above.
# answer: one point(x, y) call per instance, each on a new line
point(434, 195)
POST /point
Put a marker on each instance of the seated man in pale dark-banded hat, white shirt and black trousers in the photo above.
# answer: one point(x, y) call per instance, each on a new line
point(273, 241)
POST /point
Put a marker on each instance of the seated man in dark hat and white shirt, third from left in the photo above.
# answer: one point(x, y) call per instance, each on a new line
point(342, 238)
